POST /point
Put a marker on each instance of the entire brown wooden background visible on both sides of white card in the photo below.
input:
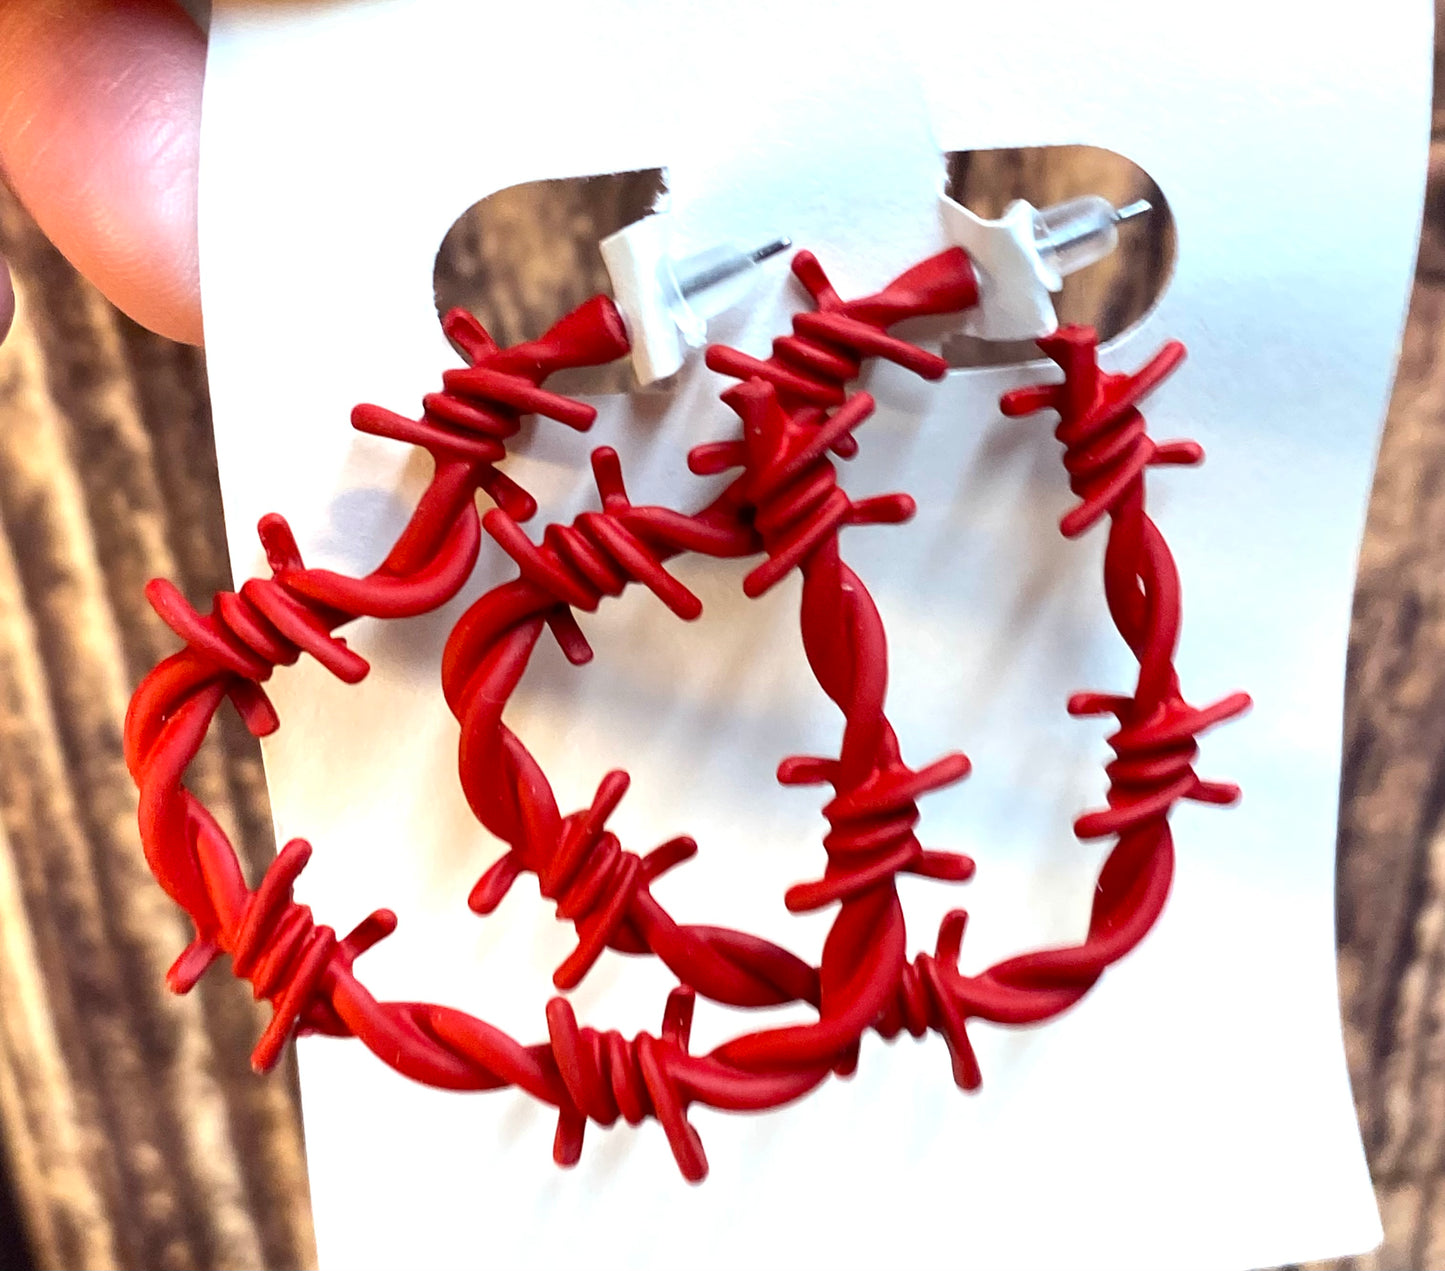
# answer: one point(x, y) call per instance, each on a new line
point(134, 1132)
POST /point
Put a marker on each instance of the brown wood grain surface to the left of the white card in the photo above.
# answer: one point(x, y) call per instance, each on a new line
point(194, 1162)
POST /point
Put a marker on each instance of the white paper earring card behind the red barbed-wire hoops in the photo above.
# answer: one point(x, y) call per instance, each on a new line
point(1194, 1110)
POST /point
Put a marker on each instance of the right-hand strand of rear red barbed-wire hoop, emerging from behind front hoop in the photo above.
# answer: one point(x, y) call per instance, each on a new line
point(1106, 457)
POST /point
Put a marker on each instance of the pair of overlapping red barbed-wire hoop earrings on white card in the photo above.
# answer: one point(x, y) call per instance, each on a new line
point(797, 417)
